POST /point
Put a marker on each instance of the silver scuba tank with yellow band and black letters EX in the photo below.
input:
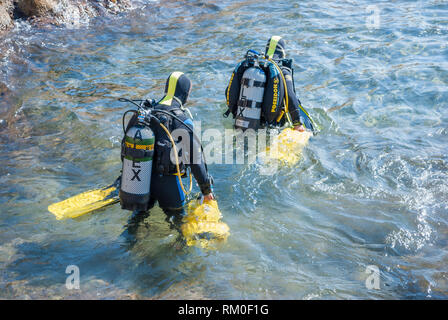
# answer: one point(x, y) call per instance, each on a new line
point(137, 152)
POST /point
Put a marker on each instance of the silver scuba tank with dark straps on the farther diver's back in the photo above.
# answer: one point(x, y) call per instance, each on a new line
point(251, 98)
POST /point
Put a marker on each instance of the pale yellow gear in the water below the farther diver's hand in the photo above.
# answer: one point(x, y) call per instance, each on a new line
point(287, 146)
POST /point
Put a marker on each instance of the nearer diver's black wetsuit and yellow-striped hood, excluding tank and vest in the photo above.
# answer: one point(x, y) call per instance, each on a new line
point(166, 187)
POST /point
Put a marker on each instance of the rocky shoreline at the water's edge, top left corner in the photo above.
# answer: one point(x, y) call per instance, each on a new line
point(56, 12)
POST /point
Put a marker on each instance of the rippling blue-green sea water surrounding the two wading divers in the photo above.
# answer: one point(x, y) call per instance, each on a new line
point(370, 190)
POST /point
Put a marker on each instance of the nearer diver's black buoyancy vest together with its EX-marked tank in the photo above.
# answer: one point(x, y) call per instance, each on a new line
point(140, 148)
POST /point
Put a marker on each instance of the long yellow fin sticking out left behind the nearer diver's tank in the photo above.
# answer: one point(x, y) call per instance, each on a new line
point(85, 202)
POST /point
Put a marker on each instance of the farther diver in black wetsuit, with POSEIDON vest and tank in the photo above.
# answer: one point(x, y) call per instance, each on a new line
point(258, 99)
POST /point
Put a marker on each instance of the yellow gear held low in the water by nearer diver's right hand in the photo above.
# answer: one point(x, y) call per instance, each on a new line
point(202, 226)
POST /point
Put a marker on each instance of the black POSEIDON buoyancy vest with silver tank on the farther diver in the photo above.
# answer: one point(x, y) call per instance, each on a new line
point(253, 78)
